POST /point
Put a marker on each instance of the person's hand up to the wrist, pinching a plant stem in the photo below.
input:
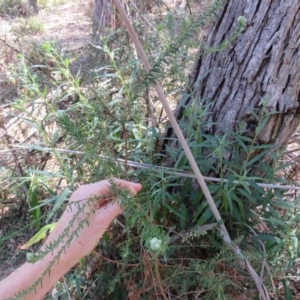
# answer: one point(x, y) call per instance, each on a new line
point(99, 213)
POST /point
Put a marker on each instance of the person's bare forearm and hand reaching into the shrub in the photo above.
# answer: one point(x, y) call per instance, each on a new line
point(97, 210)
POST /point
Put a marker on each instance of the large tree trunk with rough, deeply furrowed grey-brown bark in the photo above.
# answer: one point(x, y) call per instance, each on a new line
point(264, 62)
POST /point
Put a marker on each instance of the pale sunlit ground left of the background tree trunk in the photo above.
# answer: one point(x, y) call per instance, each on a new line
point(67, 25)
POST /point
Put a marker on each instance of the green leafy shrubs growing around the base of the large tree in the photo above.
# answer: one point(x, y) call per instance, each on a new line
point(73, 130)
